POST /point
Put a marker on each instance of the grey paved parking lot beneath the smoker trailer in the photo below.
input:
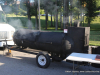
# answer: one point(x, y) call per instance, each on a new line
point(25, 64)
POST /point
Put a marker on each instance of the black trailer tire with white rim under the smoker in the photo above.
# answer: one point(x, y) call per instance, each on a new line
point(43, 60)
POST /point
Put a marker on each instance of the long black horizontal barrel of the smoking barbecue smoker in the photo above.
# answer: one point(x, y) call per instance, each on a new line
point(47, 41)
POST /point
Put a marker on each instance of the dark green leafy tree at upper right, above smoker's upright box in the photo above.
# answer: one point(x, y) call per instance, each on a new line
point(91, 6)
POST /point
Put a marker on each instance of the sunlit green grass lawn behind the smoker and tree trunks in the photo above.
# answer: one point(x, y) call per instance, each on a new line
point(22, 23)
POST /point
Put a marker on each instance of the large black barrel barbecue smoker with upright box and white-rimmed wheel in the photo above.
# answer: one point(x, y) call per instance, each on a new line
point(57, 44)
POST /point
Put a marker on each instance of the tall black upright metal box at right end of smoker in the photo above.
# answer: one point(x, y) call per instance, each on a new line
point(80, 37)
